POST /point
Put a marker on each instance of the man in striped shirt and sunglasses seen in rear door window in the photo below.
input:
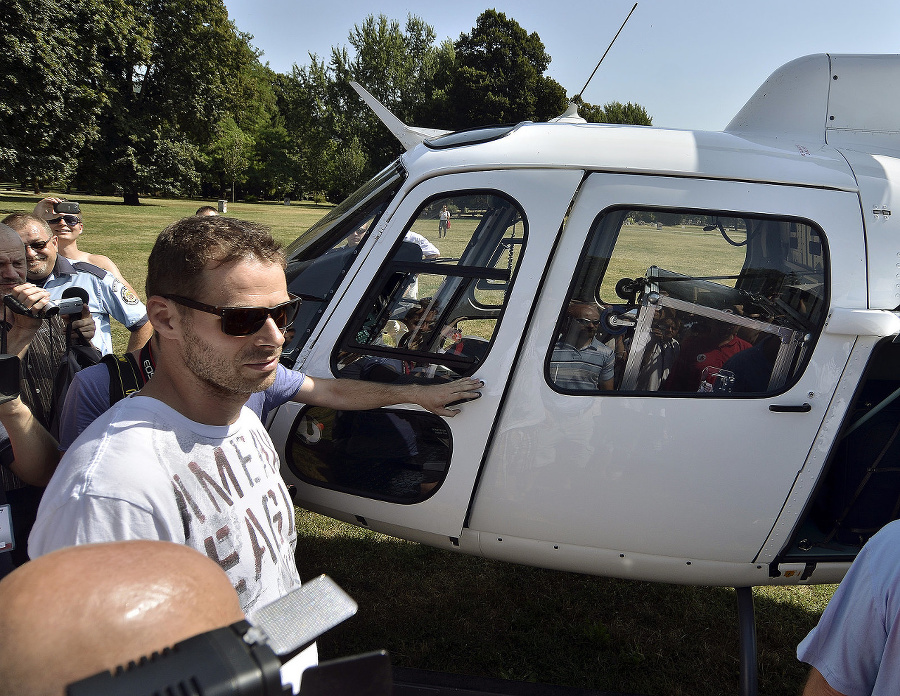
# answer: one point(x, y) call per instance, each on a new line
point(578, 361)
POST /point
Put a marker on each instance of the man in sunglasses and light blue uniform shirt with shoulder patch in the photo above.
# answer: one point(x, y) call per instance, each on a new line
point(107, 295)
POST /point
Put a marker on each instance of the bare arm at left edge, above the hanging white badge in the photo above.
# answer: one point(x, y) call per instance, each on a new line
point(34, 449)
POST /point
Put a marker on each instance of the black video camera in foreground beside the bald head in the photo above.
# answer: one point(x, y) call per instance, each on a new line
point(253, 657)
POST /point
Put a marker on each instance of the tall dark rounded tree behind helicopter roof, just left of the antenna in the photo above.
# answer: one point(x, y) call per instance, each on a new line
point(499, 76)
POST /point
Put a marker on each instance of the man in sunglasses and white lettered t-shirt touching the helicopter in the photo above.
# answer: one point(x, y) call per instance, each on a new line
point(183, 460)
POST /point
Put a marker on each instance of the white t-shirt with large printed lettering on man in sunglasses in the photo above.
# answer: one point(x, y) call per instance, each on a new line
point(144, 471)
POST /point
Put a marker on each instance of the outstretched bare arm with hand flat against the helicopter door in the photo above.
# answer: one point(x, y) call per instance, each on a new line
point(352, 395)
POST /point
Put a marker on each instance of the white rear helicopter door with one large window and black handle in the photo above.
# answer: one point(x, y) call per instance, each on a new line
point(684, 369)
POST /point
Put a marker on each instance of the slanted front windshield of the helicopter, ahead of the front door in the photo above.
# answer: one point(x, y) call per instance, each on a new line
point(318, 259)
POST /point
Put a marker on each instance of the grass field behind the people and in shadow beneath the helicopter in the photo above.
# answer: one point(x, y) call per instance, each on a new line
point(437, 610)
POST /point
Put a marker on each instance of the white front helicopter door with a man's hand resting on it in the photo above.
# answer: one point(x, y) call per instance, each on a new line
point(434, 300)
